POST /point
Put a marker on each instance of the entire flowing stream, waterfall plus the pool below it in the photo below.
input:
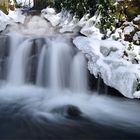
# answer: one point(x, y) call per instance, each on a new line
point(46, 80)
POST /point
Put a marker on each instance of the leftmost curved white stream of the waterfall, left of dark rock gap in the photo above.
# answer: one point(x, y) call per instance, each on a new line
point(17, 74)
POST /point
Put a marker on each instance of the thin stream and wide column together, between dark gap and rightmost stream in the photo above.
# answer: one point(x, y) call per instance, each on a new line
point(54, 64)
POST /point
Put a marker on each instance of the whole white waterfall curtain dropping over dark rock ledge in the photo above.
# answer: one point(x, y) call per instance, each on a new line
point(59, 65)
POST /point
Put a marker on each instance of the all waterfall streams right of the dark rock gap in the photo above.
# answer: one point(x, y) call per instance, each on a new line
point(58, 69)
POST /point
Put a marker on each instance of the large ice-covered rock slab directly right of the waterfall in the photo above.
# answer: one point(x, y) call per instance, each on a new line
point(106, 60)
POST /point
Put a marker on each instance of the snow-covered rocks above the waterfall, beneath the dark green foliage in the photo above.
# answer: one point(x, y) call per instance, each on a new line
point(64, 21)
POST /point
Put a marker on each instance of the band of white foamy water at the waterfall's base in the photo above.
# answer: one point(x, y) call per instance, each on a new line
point(102, 109)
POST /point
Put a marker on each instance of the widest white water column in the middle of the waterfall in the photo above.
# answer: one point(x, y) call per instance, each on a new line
point(60, 59)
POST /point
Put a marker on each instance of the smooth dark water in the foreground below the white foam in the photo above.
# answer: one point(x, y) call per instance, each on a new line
point(17, 123)
